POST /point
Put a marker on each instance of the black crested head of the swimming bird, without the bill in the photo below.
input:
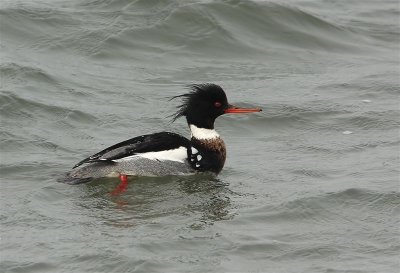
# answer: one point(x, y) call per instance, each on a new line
point(202, 105)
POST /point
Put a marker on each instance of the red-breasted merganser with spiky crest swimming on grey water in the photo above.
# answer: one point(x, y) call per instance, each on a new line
point(167, 153)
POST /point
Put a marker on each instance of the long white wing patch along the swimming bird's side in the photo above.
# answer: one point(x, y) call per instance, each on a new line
point(178, 154)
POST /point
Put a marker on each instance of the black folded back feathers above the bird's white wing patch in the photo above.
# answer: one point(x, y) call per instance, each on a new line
point(141, 144)
